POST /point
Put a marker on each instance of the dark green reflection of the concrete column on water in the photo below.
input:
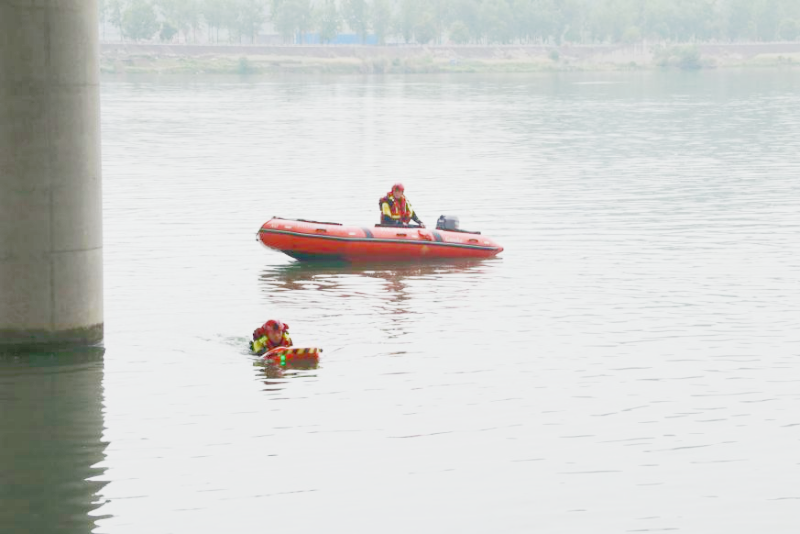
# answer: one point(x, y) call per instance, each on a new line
point(51, 441)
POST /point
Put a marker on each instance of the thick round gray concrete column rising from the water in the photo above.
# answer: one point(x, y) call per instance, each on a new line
point(51, 264)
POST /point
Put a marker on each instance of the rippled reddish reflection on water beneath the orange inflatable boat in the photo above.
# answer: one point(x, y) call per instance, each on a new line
point(382, 302)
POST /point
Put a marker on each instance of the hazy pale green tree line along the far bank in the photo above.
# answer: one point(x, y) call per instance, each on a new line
point(457, 21)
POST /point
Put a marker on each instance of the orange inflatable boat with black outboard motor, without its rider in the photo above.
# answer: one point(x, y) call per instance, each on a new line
point(307, 240)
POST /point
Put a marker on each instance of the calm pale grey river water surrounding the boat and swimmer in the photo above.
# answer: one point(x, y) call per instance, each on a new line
point(629, 363)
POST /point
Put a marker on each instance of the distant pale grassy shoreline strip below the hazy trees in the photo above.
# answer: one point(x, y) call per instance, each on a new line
point(125, 58)
